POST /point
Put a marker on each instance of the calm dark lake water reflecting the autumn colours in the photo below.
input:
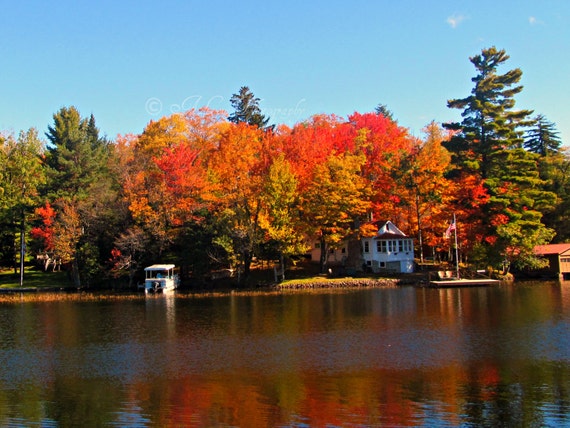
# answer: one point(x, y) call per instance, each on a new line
point(490, 356)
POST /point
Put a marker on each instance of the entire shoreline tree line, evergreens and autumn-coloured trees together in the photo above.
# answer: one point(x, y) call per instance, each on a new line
point(208, 190)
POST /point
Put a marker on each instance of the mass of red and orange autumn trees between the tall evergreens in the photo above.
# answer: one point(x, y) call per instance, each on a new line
point(279, 188)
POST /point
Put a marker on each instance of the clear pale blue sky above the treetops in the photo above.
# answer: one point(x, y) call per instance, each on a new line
point(130, 62)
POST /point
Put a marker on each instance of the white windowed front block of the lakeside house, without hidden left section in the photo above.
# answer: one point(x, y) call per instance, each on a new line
point(389, 251)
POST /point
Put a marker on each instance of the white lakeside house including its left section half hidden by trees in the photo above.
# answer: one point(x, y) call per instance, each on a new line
point(390, 251)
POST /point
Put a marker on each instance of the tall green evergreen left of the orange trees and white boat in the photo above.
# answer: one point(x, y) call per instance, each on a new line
point(81, 188)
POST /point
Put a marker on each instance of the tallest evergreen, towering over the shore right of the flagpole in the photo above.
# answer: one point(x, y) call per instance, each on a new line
point(488, 143)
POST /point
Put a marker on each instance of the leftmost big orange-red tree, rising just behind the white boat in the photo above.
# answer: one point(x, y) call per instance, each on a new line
point(164, 176)
